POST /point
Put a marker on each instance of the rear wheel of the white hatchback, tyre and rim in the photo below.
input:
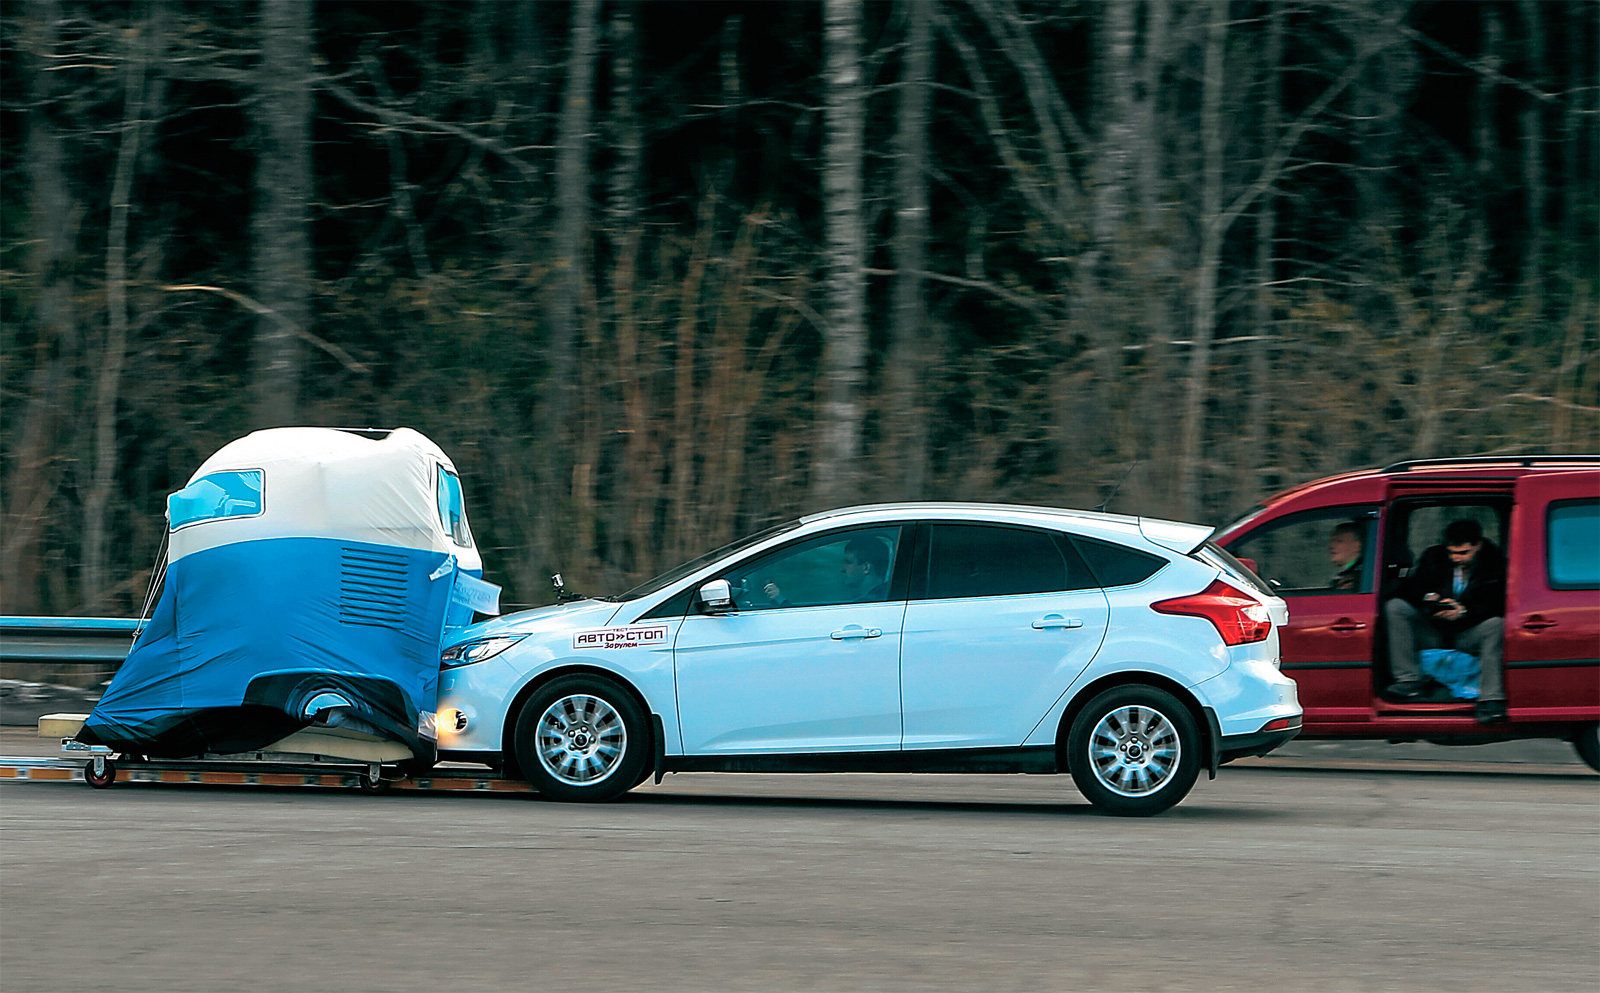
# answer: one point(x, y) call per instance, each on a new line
point(1135, 751)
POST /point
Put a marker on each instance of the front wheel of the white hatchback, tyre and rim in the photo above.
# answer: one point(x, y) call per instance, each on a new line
point(583, 740)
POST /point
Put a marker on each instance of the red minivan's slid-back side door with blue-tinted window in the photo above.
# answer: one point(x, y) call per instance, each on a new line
point(1553, 597)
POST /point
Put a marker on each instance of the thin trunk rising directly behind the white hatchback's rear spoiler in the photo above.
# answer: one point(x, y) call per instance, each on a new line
point(1207, 266)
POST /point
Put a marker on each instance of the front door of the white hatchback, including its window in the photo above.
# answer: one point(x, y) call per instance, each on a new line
point(809, 660)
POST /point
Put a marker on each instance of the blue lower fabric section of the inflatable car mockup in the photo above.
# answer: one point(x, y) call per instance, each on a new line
point(260, 626)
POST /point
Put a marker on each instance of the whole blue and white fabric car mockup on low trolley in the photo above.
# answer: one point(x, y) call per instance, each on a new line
point(311, 580)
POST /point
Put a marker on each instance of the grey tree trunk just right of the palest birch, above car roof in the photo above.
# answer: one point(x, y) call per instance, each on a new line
point(910, 340)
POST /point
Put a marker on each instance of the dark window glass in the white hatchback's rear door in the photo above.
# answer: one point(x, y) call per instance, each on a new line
point(982, 560)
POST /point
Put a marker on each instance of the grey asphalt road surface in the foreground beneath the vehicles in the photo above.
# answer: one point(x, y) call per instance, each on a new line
point(1279, 879)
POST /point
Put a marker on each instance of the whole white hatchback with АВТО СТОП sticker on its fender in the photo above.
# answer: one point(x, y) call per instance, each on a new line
point(914, 637)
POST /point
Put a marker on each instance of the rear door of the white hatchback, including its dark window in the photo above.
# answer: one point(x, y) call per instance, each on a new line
point(1001, 621)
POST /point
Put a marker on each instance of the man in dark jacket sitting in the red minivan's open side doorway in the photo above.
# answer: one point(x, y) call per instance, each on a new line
point(1454, 599)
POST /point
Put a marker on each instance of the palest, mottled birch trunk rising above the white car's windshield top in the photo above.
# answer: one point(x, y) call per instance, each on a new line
point(846, 345)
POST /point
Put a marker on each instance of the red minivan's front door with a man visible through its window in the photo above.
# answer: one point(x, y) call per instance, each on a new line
point(1329, 642)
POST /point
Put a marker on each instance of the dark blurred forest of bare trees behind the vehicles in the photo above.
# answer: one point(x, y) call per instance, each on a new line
point(658, 274)
